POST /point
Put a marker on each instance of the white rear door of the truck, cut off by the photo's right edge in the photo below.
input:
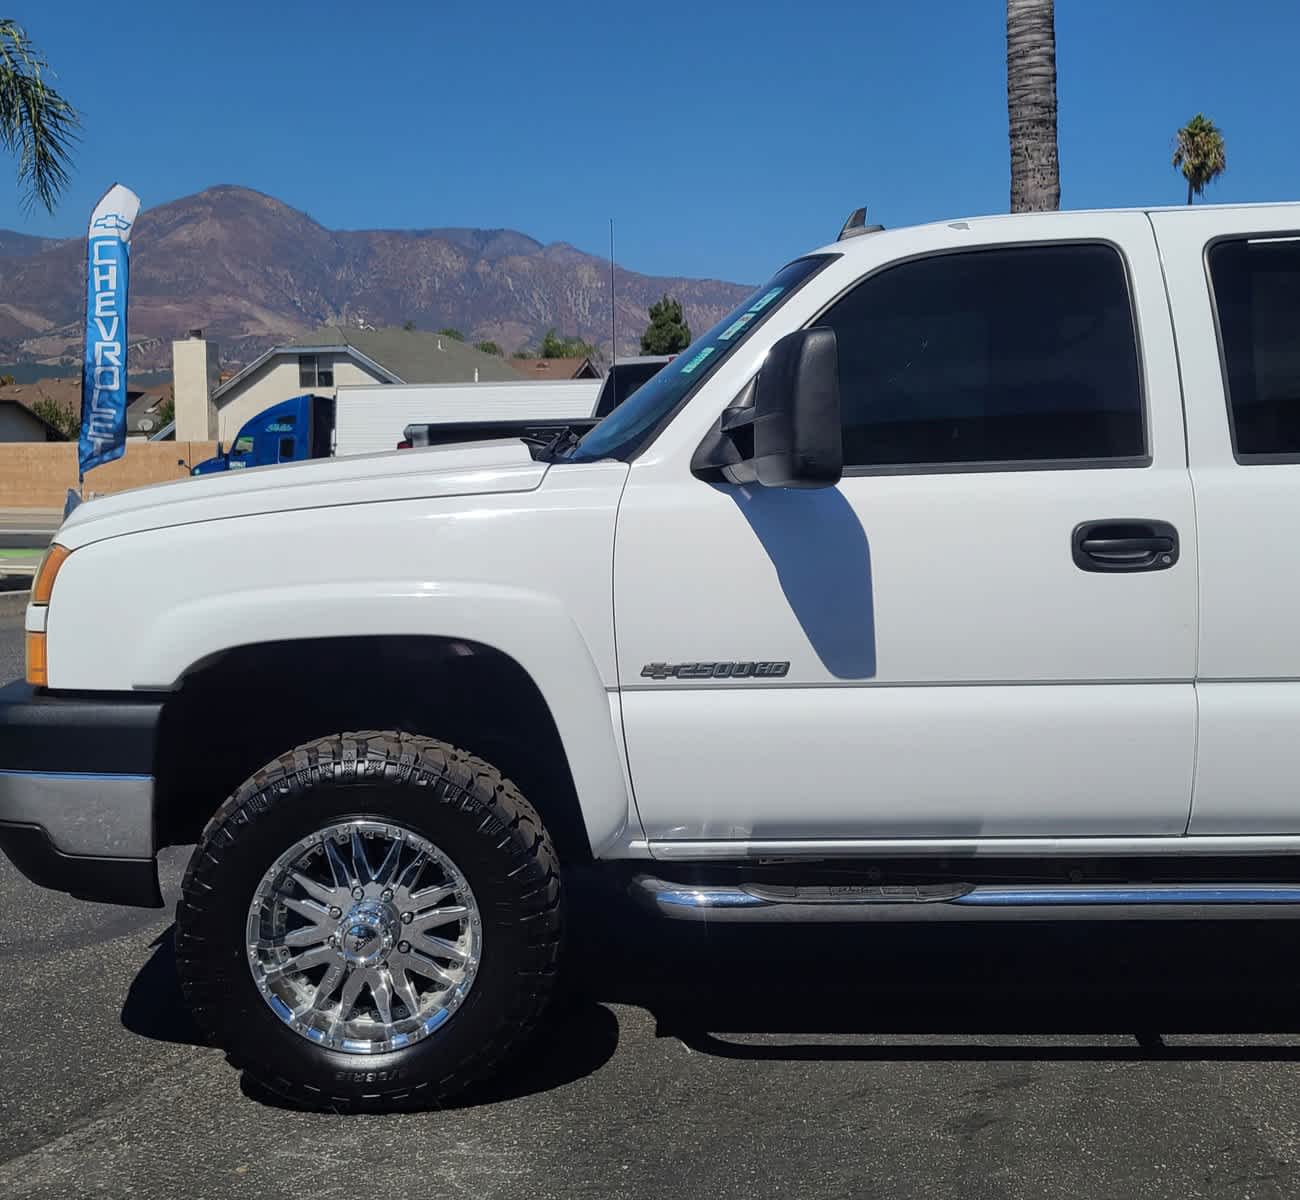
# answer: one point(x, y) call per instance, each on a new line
point(1249, 517)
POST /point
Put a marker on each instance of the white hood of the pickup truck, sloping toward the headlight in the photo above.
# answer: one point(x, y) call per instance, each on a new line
point(473, 469)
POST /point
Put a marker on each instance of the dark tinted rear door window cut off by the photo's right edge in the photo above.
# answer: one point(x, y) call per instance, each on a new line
point(1258, 298)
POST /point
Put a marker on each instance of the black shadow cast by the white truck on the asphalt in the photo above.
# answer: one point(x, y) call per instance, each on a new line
point(1106, 991)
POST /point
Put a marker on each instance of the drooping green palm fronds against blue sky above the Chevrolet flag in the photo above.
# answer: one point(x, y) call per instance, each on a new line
point(37, 124)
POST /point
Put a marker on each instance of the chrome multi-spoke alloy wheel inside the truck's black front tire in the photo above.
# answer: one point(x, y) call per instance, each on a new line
point(365, 938)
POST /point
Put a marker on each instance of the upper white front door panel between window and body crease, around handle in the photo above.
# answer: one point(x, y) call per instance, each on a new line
point(935, 579)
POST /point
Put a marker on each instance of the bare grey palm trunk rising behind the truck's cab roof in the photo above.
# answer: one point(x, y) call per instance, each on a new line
point(1032, 105)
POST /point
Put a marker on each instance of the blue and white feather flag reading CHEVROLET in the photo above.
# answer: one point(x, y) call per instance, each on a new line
point(103, 436)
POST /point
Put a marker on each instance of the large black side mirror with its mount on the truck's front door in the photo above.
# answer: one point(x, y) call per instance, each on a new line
point(783, 431)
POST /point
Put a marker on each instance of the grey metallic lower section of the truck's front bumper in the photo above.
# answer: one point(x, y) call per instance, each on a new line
point(103, 816)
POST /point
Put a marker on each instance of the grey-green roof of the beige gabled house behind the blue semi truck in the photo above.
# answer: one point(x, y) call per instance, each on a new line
point(398, 356)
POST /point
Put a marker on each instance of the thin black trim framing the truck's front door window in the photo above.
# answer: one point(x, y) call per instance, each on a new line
point(1002, 467)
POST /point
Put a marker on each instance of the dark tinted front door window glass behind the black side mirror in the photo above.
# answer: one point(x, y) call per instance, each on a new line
point(1019, 356)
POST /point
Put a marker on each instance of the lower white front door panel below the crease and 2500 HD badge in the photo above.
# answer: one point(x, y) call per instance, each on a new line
point(920, 763)
